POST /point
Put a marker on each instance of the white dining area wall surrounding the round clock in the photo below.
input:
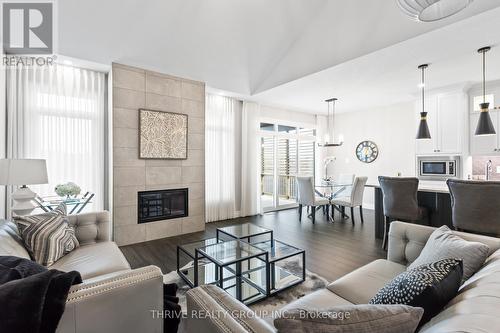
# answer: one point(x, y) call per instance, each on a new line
point(392, 128)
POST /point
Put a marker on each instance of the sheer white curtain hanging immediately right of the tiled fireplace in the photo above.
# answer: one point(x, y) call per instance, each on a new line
point(220, 157)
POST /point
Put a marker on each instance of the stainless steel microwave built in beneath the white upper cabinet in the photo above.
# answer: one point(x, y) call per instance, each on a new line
point(438, 167)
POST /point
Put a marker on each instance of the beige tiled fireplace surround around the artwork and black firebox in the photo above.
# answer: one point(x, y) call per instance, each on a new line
point(134, 88)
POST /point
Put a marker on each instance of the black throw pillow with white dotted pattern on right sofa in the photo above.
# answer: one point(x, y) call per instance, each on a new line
point(430, 286)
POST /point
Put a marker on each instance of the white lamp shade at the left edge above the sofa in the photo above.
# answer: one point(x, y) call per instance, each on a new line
point(23, 172)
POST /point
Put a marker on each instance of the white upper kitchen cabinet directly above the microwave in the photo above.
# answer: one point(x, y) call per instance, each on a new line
point(445, 115)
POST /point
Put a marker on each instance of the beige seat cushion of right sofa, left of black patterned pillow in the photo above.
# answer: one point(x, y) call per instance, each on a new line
point(359, 286)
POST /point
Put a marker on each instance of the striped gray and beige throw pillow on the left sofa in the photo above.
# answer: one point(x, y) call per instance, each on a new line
point(49, 236)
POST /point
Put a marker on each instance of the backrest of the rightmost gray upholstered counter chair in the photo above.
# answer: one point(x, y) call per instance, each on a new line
point(475, 206)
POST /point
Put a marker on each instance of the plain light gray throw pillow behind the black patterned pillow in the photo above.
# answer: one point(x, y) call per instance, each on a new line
point(443, 243)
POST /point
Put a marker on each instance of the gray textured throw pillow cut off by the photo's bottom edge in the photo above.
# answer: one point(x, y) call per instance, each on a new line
point(361, 318)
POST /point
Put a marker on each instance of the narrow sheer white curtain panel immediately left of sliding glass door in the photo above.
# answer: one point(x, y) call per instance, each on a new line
point(250, 160)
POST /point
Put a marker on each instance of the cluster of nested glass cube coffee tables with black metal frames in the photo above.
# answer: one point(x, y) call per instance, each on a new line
point(245, 260)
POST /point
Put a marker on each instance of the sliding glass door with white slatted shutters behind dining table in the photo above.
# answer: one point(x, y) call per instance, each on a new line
point(286, 151)
